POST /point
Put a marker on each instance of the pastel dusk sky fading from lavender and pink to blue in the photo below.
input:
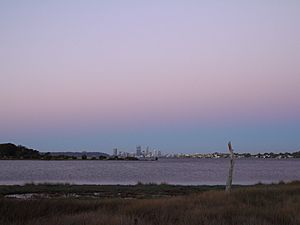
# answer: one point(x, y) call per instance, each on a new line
point(179, 76)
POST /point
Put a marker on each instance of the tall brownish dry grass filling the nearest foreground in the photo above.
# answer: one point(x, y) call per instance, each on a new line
point(277, 204)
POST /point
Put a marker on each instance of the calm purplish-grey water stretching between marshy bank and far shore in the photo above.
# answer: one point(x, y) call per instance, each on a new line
point(173, 171)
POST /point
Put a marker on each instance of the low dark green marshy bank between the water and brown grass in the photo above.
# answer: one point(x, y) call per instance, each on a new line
point(139, 190)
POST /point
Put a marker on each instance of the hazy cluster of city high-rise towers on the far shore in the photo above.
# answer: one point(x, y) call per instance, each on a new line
point(139, 153)
